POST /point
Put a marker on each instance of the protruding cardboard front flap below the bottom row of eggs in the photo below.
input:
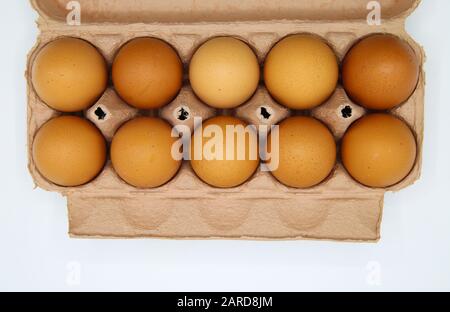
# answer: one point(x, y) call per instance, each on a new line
point(143, 216)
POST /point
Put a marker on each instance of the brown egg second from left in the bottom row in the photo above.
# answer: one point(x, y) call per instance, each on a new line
point(141, 152)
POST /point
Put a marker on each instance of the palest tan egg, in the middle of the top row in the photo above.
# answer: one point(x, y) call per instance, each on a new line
point(224, 72)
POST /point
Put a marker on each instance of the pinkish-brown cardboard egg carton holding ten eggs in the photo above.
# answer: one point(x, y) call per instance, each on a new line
point(338, 209)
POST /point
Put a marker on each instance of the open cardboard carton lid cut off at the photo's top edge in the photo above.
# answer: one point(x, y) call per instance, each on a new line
point(196, 11)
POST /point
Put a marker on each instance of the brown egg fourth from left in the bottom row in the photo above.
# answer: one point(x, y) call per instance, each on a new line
point(307, 152)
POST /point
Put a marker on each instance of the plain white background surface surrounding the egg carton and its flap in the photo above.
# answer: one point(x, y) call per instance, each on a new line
point(36, 253)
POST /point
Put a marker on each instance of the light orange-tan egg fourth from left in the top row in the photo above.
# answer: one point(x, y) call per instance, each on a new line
point(301, 72)
